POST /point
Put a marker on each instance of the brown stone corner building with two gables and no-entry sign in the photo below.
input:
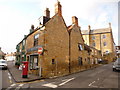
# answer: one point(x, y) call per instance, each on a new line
point(64, 50)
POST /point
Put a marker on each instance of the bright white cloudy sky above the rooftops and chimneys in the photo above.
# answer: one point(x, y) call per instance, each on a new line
point(17, 16)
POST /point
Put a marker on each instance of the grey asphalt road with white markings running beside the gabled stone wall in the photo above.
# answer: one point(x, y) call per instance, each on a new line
point(100, 77)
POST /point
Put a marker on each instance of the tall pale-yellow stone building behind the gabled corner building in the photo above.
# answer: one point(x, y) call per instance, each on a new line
point(101, 39)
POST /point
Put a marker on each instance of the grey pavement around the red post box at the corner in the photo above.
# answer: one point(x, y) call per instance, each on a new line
point(17, 74)
